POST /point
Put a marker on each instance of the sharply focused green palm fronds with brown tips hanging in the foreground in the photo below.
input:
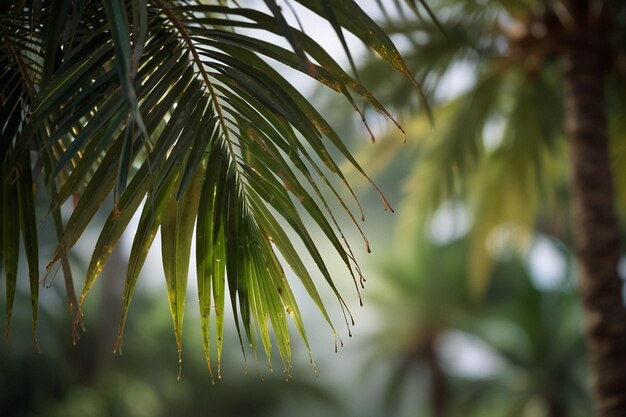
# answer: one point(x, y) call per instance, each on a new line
point(170, 109)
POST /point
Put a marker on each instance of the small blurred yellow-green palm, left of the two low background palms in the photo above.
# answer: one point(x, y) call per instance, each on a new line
point(421, 301)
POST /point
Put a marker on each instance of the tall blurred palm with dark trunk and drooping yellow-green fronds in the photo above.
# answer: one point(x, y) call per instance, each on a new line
point(544, 70)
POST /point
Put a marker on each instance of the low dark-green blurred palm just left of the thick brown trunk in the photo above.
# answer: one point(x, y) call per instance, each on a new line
point(536, 334)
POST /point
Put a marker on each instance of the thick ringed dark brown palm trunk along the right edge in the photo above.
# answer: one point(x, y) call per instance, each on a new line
point(595, 227)
